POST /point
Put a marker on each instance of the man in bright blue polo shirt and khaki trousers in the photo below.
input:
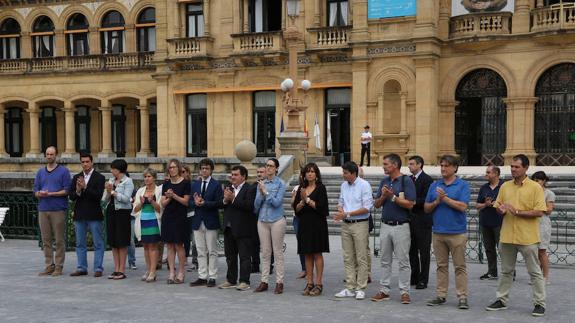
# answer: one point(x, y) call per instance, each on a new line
point(447, 200)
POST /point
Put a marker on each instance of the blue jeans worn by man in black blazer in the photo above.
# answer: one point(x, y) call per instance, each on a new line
point(97, 230)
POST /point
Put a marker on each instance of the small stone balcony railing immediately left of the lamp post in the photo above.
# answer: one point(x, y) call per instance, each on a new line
point(258, 42)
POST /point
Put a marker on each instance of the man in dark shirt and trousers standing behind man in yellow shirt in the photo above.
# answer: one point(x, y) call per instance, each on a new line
point(489, 219)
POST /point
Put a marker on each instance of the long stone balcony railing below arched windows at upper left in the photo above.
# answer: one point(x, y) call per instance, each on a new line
point(77, 63)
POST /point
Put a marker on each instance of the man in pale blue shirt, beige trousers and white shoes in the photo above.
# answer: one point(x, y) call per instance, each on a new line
point(355, 202)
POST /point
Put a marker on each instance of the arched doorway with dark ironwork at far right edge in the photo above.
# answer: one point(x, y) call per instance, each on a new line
point(555, 116)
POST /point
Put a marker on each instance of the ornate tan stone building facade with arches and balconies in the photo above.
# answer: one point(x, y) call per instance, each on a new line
point(141, 78)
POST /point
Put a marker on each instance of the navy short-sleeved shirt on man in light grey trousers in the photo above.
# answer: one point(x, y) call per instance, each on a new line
point(391, 211)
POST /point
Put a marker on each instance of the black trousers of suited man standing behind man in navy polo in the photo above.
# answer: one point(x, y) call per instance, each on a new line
point(420, 250)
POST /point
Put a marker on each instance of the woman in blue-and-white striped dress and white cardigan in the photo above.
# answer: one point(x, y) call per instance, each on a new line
point(148, 220)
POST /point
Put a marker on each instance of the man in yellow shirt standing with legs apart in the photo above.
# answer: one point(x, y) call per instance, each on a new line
point(521, 202)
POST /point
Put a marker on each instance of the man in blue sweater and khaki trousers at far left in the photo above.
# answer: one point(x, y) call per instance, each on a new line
point(51, 187)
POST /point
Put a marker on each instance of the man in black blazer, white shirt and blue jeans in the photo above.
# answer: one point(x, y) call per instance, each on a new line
point(86, 191)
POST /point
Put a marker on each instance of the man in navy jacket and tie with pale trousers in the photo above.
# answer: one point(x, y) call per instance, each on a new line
point(207, 193)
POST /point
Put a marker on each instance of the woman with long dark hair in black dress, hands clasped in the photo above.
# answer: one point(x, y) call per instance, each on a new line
point(311, 206)
